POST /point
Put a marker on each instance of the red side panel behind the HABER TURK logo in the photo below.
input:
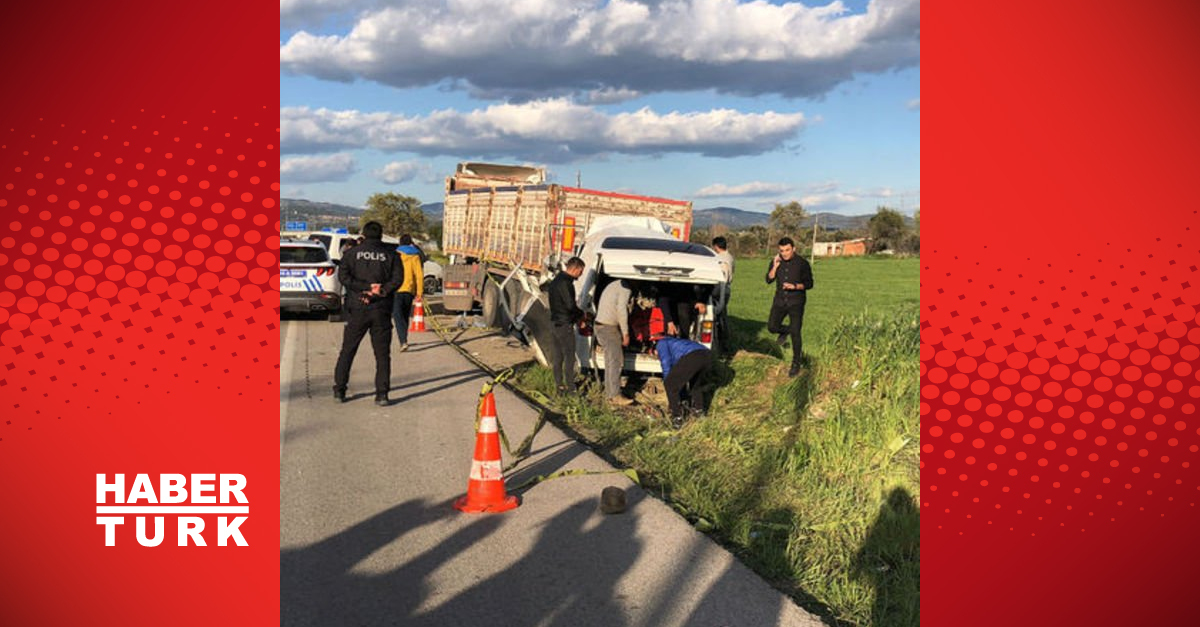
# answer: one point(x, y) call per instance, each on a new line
point(139, 324)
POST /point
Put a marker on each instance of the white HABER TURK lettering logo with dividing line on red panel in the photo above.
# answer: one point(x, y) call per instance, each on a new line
point(206, 495)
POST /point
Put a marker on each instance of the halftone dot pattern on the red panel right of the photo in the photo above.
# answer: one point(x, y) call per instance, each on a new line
point(1061, 398)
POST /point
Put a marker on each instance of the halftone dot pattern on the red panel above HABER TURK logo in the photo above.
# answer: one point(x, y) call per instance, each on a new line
point(140, 260)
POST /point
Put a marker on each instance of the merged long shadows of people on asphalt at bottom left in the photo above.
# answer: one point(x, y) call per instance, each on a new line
point(569, 575)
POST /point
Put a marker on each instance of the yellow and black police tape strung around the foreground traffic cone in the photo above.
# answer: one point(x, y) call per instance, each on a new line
point(535, 398)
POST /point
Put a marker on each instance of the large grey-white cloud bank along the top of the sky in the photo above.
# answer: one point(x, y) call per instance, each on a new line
point(530, 50)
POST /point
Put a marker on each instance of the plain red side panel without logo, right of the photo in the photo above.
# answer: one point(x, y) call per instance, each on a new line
point(1060, 337)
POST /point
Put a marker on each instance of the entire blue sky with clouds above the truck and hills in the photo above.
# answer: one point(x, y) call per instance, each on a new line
point(716, 101)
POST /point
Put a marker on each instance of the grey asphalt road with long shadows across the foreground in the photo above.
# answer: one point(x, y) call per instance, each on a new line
point(369, 535)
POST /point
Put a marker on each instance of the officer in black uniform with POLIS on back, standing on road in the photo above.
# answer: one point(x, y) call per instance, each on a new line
point(371, 274)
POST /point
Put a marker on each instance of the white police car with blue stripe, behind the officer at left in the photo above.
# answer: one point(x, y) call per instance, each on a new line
point(308, 278)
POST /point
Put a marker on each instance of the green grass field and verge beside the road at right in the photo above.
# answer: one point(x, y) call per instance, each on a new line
point(813, 481)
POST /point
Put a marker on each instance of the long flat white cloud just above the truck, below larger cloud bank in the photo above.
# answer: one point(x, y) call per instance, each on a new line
point(547, 132)
